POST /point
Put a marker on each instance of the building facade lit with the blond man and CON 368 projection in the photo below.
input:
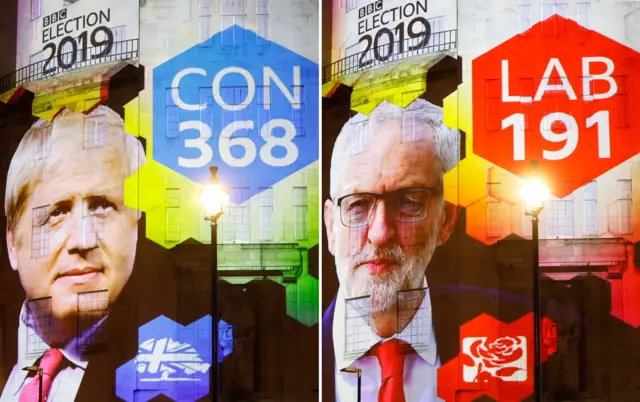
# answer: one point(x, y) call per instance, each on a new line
point(174, 87)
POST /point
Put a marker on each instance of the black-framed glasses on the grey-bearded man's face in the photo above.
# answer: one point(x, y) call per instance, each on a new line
point(403, 205)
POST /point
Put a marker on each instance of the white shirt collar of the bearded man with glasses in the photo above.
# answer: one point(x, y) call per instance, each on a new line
point(426, 350)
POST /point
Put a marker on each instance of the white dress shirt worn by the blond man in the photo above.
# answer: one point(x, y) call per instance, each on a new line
point(66, 383)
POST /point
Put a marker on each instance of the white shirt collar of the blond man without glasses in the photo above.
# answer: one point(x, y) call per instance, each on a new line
point(71, 351)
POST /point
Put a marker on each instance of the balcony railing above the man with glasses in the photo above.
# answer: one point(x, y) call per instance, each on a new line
point(390, 52)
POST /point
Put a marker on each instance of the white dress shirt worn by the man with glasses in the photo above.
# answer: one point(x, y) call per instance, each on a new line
point(420, 368)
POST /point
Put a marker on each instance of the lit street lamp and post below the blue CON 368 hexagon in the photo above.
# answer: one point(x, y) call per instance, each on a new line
point(212, 198)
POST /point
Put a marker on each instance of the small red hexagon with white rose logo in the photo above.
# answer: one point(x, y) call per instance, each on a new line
point(496, 359)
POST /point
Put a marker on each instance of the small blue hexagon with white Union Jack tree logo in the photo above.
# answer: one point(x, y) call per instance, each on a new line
point(173, 360)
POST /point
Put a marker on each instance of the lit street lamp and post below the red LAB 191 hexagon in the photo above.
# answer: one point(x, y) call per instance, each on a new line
point(533, 192)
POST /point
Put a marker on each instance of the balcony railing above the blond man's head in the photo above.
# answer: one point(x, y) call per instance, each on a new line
point(81, 58)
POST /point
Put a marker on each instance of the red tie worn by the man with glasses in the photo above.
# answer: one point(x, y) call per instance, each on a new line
point(391, 358)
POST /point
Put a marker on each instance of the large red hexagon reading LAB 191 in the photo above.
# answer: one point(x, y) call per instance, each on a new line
point(559, 94)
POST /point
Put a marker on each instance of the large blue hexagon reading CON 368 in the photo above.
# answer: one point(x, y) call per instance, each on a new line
point(239, 102)
